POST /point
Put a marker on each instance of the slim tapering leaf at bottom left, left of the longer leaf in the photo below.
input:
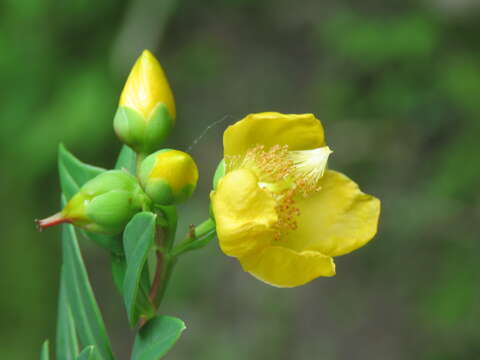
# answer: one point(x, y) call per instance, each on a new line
point(67, 343)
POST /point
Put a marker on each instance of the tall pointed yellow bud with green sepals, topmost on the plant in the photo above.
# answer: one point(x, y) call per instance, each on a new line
point(146, 112)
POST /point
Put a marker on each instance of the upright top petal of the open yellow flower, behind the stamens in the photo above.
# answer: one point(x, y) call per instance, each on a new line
point(299, 132)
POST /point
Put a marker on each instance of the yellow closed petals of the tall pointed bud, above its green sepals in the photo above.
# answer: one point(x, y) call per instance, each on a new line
point(147, 86)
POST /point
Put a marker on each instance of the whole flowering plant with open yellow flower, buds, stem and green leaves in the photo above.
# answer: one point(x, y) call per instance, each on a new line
point(275, 206)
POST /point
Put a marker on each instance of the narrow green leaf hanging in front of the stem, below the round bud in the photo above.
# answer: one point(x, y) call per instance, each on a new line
point(138, 239)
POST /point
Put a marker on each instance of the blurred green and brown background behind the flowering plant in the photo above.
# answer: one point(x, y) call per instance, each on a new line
point(397, 86)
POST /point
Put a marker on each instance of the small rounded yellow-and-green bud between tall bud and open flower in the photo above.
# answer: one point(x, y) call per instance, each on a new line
point(168, 176)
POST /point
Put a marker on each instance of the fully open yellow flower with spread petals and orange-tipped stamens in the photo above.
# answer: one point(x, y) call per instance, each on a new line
point(278, 209)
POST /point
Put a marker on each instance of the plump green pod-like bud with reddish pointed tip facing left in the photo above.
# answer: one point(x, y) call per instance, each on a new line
point(104, 204)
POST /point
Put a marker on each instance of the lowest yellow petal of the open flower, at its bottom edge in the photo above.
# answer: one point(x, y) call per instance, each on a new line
point(282, 267)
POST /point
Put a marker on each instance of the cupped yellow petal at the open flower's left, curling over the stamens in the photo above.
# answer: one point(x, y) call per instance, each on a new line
point(244, 213)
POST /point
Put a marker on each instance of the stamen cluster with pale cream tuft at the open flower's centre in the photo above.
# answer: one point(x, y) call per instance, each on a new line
point(286, 175)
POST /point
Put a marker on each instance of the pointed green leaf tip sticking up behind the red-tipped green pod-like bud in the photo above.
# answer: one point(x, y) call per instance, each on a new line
point(73, 172)
